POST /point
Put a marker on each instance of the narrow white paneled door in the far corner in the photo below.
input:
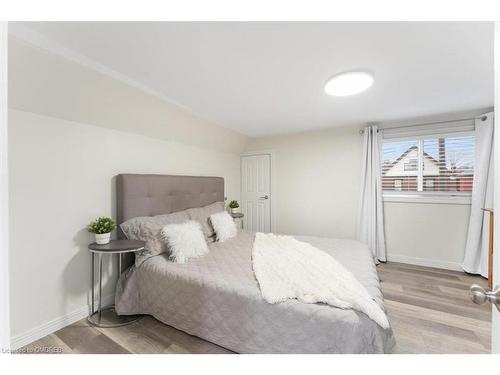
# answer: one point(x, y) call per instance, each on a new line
point(256, 192)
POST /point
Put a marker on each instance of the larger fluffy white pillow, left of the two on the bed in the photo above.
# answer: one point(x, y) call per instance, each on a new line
point(184, 241)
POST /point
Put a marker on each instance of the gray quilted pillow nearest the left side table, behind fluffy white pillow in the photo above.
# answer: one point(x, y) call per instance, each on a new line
point(148, 228)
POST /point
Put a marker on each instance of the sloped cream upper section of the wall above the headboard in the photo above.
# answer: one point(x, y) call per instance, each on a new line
point(43, 82)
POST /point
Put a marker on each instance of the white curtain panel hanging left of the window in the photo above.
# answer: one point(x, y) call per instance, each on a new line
point(371, 210)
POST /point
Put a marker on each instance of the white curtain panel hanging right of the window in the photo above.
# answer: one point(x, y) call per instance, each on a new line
point(476, 248)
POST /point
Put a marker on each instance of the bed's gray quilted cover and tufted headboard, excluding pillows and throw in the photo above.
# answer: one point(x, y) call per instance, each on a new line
point(217, 298)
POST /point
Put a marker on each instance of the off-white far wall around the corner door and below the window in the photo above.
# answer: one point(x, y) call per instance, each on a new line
point(317, 179)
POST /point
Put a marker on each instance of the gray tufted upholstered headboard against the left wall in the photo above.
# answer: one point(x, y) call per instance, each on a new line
point(149, 194)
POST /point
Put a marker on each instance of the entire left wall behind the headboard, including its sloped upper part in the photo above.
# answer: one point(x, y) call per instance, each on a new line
point(71, 130)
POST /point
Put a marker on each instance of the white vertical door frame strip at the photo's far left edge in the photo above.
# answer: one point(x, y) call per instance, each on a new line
point(4, 196)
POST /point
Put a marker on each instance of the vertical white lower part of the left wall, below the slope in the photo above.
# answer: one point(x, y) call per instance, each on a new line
point(61, 176)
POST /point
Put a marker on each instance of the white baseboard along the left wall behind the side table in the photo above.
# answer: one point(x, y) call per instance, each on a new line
point(45, 329)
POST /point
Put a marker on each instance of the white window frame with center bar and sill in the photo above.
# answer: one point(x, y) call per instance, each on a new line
point(436, 197)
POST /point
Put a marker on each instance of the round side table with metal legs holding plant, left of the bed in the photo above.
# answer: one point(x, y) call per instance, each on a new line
point(106, 317)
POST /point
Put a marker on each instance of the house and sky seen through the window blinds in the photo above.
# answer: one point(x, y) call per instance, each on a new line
point(444, 164)
